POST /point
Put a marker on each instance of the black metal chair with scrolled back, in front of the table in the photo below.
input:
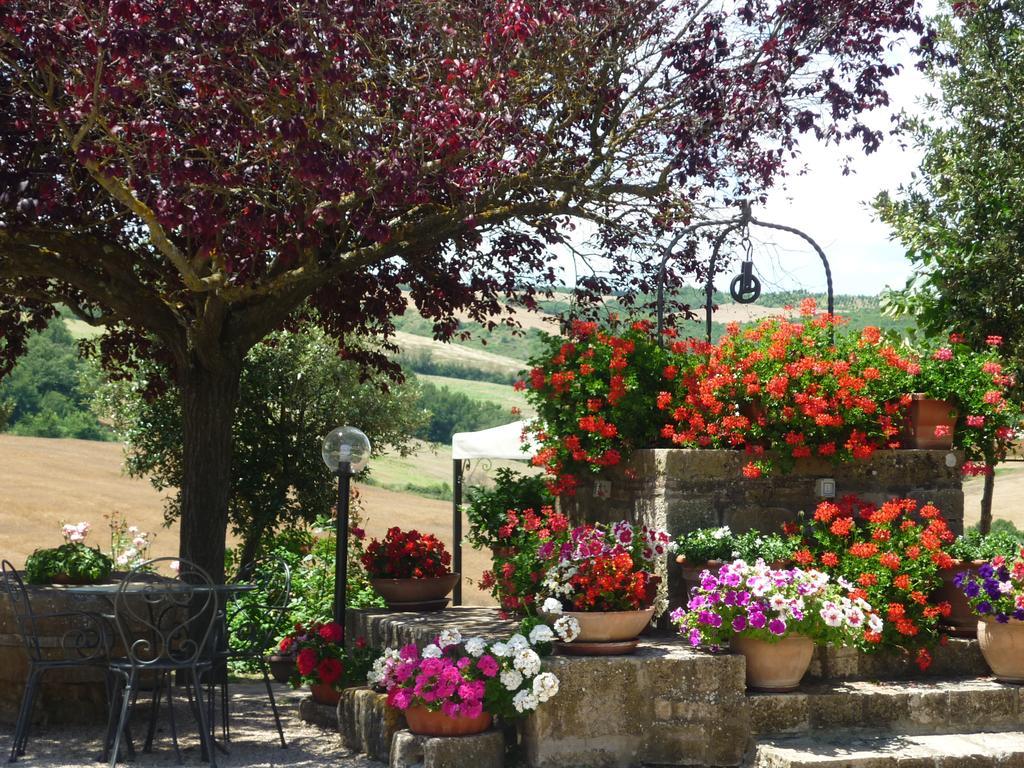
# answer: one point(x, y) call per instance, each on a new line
point(166, 628)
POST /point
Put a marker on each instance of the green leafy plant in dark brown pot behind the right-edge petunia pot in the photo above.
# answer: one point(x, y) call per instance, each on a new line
point(968, 553)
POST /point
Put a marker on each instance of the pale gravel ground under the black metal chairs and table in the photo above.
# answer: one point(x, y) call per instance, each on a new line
point(254, 739)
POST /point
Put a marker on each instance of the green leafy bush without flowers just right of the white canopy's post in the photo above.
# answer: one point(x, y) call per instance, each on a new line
point(488, 506)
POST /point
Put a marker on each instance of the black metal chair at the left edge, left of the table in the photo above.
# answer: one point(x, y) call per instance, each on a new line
point(86, 643)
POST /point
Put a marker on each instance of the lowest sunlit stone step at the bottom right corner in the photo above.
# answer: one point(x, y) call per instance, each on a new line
point(868, 750)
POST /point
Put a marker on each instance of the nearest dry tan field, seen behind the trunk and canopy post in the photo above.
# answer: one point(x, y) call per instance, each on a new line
point(47, 482)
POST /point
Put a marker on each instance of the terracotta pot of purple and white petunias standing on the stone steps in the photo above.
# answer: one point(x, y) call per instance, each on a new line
point(775, 618)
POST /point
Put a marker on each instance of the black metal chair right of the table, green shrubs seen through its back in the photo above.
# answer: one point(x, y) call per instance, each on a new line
point(253, 621)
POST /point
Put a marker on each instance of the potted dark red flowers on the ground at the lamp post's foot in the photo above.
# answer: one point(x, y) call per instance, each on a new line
point(323, 663)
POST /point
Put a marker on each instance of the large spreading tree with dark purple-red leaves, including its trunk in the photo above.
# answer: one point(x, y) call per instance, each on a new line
point(190, 174)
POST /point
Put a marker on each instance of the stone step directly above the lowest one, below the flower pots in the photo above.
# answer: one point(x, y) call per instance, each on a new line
point(924, 706)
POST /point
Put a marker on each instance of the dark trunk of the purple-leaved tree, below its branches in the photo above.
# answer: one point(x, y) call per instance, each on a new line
point(208, 403)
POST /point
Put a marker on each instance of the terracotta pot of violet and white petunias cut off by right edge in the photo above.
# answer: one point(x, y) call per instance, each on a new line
point(997, 594)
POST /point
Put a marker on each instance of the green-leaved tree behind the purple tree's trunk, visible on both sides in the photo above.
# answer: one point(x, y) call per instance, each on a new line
point(295, 389)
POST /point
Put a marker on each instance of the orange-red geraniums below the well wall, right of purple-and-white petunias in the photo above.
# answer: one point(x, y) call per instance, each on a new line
point(893, 554)
